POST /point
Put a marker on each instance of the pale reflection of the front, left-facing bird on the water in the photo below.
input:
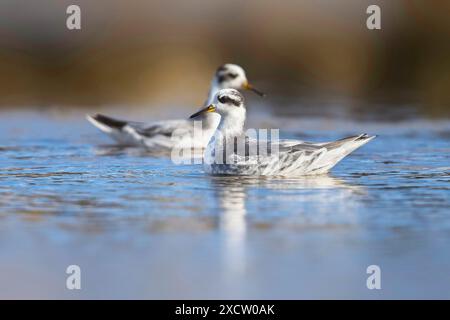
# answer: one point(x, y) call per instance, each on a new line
point(232, 194)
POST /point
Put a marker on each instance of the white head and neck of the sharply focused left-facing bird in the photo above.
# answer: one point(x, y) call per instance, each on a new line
point(229, 104)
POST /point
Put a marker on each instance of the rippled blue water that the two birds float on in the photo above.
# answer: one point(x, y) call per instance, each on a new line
point(141, 227)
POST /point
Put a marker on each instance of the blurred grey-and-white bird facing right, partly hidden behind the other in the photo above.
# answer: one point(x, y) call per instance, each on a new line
point(164, 135)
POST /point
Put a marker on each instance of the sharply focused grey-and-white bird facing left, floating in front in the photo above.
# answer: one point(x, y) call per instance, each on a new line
point(230, 152)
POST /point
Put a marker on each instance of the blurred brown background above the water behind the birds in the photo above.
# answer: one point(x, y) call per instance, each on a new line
point(145, 53)
